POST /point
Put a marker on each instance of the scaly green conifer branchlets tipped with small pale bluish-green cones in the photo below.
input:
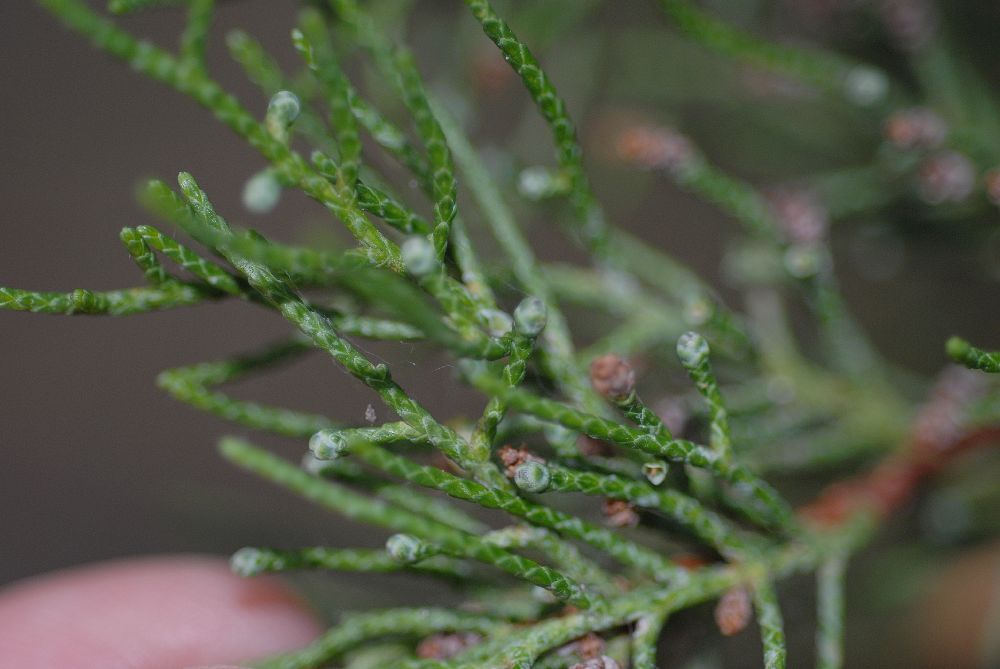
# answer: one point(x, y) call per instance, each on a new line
point(416, 278)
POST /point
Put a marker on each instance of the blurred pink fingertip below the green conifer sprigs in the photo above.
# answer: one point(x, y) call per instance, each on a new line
point(149, 613)
